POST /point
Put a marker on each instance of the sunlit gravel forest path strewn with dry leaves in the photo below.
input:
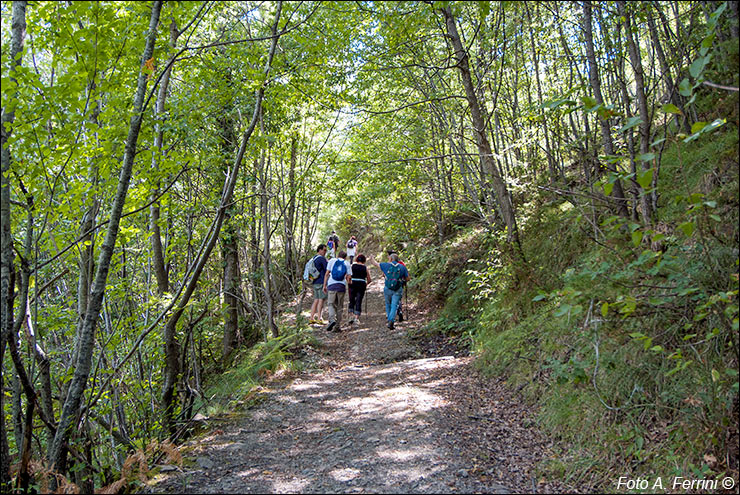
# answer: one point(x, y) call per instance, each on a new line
point(373, 418)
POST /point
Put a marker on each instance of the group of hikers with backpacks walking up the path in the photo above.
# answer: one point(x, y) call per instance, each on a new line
point(331, 275)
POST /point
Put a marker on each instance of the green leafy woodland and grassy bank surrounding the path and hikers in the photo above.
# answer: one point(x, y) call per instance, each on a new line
point(561, 177)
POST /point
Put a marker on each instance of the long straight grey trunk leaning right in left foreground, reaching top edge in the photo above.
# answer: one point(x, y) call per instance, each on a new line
point(83, 364)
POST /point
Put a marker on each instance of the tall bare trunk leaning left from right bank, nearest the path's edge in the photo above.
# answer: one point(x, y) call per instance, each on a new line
point(484, 148)
